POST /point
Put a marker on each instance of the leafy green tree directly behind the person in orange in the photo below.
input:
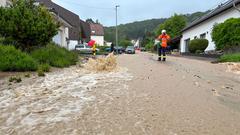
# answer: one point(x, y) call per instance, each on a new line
point(173, 25)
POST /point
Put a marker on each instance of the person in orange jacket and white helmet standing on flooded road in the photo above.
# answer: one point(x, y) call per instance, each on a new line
point(164, 37)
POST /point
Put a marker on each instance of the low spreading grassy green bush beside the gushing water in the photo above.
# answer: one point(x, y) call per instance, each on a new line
point(55, 56)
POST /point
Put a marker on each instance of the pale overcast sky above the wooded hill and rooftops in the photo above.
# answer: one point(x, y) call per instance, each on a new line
point(133, 10)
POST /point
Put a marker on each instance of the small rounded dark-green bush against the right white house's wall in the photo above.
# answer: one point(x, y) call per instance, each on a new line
point(198, 45)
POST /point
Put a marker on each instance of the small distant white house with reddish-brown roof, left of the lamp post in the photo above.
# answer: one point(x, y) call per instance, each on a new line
point(97, 33)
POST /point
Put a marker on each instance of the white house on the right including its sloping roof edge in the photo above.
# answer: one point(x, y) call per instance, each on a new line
point(202, 28)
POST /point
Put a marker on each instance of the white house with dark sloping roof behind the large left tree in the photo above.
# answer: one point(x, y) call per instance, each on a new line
point(69, 33)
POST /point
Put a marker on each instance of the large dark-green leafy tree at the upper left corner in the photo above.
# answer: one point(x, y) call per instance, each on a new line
point(26, 24)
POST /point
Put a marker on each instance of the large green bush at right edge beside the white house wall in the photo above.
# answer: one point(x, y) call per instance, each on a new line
point(226, 35)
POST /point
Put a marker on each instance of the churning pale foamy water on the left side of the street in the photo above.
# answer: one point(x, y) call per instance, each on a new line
point(59, 97)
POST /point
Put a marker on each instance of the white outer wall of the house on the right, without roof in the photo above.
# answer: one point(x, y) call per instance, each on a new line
point(206, 27)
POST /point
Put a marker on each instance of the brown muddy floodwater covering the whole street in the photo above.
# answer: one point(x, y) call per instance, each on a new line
point(144, 96)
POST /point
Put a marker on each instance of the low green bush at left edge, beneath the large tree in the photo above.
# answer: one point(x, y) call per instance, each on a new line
point(12, 59)
